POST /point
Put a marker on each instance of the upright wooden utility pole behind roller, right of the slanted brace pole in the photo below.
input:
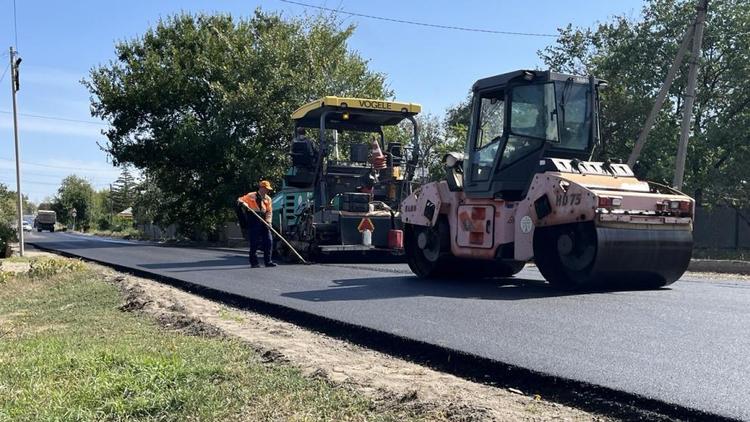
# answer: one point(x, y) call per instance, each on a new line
point(687, 110)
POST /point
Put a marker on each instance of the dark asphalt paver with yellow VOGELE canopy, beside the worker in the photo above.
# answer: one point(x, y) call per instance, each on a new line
point(334, 204)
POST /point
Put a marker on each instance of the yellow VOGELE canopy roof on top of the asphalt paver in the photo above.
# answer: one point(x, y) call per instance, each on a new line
point(362, 114)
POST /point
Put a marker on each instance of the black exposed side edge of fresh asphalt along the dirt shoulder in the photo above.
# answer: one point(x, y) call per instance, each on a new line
point(585, 395)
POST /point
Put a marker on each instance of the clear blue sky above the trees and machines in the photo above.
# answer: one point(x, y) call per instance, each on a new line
point(60, 41)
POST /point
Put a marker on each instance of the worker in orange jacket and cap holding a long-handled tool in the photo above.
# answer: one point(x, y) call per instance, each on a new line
point(257, 232)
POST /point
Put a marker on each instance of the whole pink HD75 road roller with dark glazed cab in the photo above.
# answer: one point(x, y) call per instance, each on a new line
point(524, 190)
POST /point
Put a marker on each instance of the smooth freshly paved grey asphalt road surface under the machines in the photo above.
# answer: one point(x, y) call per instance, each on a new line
point(688, 345)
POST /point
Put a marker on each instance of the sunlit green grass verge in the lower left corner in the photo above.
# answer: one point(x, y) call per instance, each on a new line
point(68, 353)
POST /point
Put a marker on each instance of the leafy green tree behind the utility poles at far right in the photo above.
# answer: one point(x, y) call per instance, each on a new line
point(634, 56)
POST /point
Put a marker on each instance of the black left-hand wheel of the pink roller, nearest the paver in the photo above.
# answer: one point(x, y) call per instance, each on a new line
point(432, 260)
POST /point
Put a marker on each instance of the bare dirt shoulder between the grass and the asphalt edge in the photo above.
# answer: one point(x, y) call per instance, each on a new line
point(389, 381)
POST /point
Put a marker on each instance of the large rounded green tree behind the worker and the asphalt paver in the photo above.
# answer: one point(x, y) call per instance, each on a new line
point(201, 103)
